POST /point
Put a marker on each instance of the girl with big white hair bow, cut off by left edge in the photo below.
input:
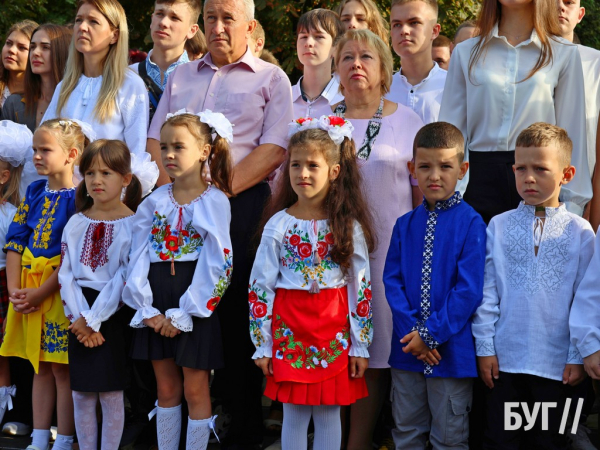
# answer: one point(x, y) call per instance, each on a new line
point(15, 141)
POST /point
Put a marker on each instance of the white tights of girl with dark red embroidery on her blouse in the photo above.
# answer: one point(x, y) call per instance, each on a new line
point(86, 424)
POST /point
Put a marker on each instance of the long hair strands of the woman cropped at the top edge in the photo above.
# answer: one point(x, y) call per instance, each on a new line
point(545, 23)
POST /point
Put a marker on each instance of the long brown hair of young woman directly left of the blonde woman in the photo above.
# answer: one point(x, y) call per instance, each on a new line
point(60, 39)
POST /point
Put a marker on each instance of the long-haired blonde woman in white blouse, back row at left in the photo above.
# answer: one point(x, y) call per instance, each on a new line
point(98, 86)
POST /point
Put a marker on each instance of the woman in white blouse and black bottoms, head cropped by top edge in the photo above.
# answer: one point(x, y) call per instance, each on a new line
point(515, 73)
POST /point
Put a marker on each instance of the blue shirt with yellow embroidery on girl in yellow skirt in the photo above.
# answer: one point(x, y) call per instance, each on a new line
point(40, 220)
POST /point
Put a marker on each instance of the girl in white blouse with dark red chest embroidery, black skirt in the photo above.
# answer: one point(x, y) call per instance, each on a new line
point(95, 253)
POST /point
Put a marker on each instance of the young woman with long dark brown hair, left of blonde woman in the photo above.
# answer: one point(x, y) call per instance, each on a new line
point(48, 53)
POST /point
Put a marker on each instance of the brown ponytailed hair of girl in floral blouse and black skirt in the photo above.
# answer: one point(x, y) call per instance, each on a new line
point(220, 165)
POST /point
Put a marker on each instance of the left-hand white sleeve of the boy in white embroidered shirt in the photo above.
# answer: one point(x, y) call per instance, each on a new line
point(488, 313)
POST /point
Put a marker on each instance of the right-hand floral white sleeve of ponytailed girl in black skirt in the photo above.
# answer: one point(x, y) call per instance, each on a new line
point(212, 275)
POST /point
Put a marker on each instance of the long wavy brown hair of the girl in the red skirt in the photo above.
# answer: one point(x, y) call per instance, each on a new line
point(344, 203)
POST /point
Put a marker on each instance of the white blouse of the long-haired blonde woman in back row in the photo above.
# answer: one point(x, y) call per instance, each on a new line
point(130, 120)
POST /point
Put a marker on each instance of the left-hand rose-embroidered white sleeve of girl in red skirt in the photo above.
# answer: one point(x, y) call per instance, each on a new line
point(261, 291)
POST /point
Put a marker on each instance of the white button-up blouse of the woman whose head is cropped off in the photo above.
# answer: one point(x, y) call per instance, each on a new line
point(494, 105)
